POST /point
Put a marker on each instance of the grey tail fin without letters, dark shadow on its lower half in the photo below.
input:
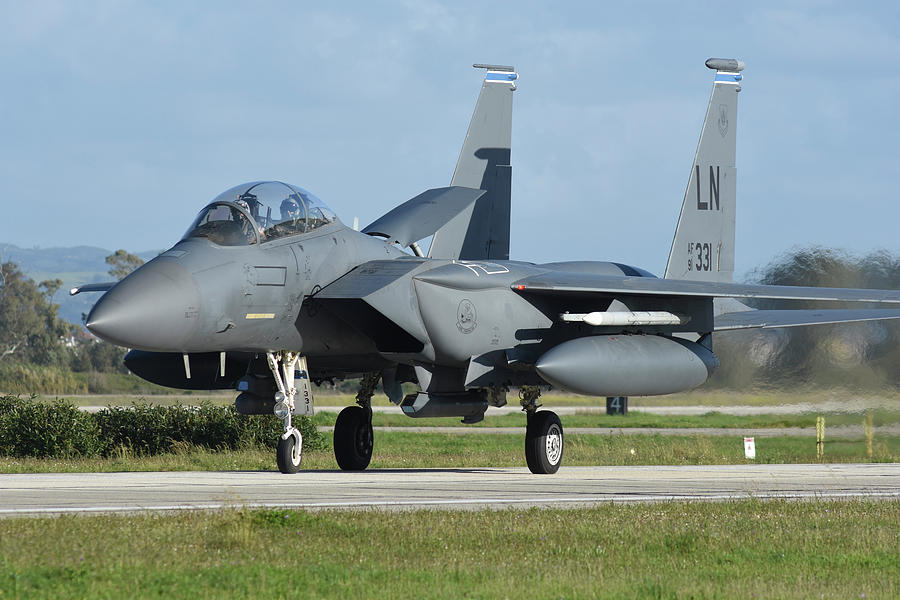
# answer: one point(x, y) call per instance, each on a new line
point(483, 231)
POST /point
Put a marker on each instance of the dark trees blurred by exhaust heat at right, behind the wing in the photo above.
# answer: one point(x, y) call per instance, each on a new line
point(853, 355)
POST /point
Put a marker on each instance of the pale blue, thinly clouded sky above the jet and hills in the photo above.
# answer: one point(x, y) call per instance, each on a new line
point(120, 120)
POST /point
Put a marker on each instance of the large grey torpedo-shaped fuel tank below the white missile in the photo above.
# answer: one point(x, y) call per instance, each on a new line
point(627, 365)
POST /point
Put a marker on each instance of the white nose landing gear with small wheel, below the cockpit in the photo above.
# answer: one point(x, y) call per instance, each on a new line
point(290, 446)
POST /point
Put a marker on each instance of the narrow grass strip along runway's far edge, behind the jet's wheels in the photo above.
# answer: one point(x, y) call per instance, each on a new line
point(437, 450)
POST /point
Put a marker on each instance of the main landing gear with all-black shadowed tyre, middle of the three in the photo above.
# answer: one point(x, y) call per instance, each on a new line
point(353, 433)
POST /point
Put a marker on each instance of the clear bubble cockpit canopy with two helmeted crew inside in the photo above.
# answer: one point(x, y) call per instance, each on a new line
point(259, 212)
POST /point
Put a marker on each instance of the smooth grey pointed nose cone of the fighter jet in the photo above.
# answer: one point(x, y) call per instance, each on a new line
point(156, 308)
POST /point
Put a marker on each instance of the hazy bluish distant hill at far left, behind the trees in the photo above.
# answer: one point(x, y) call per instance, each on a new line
point(75, 265)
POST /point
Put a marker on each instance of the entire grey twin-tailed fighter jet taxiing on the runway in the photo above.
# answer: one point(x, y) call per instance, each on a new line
point(269, 291)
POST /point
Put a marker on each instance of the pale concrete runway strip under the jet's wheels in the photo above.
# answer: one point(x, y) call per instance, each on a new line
point(63, 493)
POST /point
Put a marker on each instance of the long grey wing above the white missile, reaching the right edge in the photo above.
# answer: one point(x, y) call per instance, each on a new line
point(561, 282)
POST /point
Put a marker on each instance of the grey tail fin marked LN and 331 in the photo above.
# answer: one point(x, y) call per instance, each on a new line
point(703, 248)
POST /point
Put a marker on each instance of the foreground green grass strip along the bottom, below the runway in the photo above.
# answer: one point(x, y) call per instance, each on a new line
point(738, 549)
